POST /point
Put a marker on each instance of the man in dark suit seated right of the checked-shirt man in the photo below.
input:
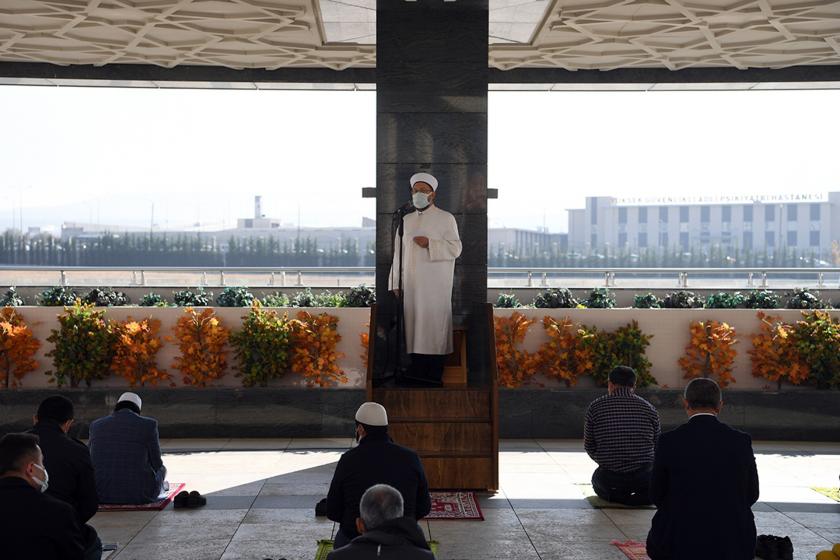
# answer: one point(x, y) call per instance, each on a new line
point(704, 484)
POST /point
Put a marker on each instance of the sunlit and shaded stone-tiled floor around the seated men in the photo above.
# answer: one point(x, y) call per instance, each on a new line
point(261, 497)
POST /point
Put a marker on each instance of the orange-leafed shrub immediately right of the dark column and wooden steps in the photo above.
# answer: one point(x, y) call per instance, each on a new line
point(514, 366)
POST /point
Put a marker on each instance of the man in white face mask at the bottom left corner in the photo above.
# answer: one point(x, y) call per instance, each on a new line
point(33, 524)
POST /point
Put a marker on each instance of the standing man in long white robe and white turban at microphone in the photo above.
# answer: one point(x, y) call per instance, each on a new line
point(431, 245)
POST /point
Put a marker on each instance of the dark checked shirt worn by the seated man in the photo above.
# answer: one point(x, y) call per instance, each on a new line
point(621, 431)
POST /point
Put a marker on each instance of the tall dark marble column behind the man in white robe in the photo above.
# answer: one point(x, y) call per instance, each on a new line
point(431, 112)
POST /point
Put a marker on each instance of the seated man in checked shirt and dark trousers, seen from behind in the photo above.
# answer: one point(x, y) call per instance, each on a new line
point(620, 434)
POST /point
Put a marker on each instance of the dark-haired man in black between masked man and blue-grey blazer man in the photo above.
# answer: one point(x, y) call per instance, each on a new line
point(68, 462)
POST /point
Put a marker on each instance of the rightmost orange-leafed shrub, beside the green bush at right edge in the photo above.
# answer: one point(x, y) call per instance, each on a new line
point(775, 356)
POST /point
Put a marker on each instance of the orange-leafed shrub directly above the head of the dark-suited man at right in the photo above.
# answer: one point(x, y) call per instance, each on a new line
point(710, 353)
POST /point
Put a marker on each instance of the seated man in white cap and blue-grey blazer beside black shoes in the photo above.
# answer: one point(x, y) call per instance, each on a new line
point(125, 448)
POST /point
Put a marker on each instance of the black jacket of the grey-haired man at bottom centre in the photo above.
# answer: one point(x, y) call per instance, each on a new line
point(398, 539)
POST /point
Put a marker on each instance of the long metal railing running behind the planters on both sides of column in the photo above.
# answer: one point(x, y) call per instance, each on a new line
point(335, 277)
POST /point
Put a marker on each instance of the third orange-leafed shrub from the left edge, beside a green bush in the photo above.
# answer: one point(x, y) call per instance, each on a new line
point(202, 339)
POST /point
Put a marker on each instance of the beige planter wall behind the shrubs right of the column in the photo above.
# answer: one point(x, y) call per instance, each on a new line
point(669, 328)
